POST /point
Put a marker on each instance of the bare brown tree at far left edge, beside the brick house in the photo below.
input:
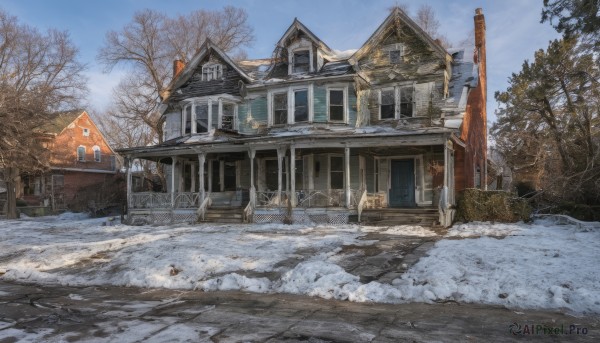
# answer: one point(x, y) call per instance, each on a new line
point(39, 74)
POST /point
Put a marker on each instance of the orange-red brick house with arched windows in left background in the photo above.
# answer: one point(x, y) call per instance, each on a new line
point(83, 166)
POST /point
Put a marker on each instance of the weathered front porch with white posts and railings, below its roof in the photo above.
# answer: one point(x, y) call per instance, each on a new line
point(295, 184)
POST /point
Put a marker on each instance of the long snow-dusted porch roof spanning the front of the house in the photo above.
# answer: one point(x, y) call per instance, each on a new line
point(301, 138)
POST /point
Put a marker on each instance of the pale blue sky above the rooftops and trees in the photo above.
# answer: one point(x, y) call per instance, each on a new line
point(513, 28)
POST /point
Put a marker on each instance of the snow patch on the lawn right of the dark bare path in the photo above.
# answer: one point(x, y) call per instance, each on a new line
point(545, 266)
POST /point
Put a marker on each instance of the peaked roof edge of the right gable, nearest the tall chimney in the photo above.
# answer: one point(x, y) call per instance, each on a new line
point(378, 35)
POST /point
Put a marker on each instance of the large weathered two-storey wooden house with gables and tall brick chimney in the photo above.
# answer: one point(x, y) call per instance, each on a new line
point(388, 133)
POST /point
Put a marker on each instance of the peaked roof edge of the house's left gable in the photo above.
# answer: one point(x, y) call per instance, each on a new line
point(189, 69)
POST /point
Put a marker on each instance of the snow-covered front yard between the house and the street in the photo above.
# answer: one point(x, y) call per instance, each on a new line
point(542, 265)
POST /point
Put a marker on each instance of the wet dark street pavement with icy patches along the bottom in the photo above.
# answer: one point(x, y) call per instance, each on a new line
point(116, 314)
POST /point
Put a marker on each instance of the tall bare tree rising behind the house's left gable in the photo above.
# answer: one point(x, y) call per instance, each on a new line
point(149, 44)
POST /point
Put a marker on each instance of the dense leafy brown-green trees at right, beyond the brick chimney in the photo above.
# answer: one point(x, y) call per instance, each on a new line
point(548, 127)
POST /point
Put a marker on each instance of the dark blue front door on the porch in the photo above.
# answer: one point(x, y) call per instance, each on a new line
point(402, 191)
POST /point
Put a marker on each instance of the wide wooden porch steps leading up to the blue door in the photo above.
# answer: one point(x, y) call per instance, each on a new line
point(400, 216)
